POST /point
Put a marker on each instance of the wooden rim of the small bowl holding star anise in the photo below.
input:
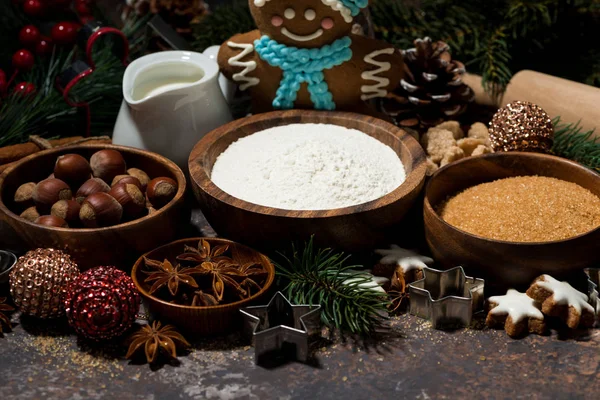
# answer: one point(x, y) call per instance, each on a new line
point(240, 303)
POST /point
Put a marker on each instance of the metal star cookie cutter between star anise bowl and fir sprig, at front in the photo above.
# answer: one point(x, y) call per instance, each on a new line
point(281, 322)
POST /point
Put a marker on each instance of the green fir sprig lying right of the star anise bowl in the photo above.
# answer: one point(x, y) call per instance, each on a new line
point(321, 276)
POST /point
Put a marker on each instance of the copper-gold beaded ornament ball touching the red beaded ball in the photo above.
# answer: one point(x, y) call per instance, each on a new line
point(39, 280)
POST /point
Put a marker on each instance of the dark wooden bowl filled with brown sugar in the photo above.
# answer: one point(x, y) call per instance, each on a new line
point(515, 262)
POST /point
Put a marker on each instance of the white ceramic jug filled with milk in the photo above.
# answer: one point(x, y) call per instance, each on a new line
point(170, 100)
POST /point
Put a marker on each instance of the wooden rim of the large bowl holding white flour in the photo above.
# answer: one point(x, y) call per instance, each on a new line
point(417, 175)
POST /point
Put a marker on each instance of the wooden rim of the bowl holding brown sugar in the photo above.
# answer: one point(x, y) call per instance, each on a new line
point(525, 155)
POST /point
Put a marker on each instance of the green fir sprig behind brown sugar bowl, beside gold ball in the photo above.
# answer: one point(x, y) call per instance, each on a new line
point(571, 142)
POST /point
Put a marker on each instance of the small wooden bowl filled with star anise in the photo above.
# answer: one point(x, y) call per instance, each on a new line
point(200, 284)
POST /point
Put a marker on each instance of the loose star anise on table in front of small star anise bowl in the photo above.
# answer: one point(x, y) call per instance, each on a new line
point(154, 339)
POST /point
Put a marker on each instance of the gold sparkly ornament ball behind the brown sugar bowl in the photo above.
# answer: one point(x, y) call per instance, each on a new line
point(521, 126)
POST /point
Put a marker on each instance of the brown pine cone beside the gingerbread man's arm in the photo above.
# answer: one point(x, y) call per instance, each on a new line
point(432, 90)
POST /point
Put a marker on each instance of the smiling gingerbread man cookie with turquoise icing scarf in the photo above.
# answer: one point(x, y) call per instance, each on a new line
point(303, 55)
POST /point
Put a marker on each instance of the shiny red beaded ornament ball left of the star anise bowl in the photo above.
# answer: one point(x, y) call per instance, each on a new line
point(102, 303)
